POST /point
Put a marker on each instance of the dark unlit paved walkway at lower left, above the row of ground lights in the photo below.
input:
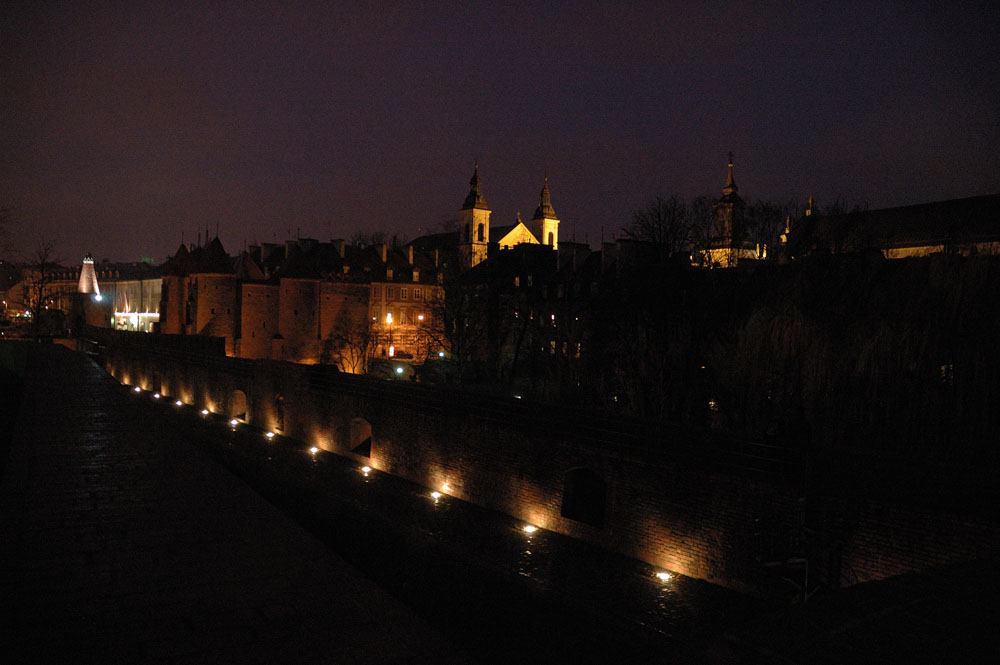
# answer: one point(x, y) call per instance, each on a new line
point(121, 542)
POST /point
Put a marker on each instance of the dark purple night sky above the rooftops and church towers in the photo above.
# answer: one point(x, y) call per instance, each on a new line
point(126, 125)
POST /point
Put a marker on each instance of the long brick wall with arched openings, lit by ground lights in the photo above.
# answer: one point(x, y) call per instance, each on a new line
point(714, 509)
